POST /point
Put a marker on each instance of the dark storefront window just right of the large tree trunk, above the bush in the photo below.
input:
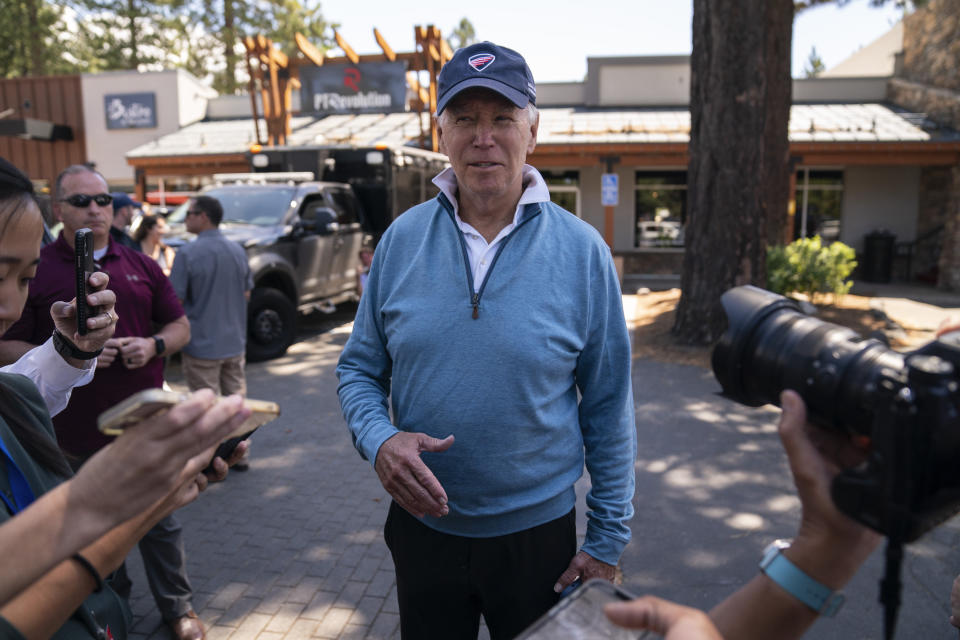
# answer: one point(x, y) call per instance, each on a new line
point(819, 204)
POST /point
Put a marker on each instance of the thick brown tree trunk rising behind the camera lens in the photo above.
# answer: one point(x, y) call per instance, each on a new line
point(739, 173)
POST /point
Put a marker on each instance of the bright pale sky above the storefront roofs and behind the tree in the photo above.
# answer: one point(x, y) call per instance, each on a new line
point(558, 36)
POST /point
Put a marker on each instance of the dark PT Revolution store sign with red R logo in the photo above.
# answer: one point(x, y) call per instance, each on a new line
point(378, 87)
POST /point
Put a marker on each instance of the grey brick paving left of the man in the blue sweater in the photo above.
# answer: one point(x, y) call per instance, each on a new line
point(292, 548)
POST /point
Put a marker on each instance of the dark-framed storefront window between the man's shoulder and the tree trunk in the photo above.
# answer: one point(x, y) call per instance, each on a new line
point(661, 208)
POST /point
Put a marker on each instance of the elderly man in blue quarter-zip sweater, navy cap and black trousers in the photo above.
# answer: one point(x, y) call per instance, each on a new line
point(493, 323)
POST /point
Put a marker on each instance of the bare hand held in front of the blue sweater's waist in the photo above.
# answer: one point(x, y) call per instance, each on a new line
point(408, 480)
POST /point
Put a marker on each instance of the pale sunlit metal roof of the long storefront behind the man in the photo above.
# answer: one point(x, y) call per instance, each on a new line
point(808, 123)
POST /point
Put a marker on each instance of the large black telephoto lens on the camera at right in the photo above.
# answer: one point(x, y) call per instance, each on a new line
point(771, 345)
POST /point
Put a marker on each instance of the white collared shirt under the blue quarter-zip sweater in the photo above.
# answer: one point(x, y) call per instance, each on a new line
point(479, 251)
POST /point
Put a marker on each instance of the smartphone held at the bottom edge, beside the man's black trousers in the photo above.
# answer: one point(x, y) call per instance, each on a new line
point(580, 615)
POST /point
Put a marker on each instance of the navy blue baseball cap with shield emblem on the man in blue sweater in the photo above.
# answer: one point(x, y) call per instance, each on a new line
point(490, 66)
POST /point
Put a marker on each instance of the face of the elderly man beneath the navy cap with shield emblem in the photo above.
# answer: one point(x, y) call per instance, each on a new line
point(487, 139)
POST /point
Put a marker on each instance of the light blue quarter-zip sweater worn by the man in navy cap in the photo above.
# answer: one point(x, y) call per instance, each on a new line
point(500, 370)
